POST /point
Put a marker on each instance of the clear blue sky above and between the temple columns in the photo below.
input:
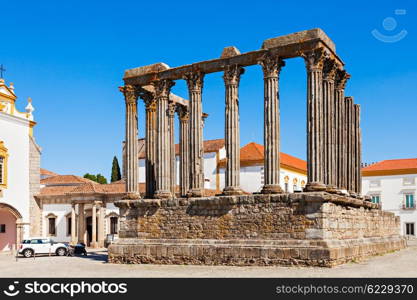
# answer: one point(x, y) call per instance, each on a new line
point(70, 57)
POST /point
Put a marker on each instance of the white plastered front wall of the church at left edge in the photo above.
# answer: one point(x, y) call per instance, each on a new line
point(15, 135)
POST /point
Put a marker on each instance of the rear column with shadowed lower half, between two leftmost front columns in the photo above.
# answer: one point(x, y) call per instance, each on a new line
point(150, 141)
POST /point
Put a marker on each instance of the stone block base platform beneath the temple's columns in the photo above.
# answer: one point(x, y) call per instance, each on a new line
point(309, 229)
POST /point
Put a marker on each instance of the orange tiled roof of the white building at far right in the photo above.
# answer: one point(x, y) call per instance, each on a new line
point(392, 167)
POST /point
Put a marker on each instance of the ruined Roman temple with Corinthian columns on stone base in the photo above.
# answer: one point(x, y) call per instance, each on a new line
point(329, 223)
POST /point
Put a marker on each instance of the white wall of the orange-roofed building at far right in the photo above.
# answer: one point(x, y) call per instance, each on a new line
point(392, 190)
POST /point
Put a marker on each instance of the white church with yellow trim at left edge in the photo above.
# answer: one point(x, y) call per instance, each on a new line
point(19, 170)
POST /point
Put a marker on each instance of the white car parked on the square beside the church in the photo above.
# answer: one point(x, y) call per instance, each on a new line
point(40, 245)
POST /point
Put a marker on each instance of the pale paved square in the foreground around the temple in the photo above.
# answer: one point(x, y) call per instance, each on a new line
point(399, 264)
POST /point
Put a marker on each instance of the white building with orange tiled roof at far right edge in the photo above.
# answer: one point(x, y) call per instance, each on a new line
point(393, 184)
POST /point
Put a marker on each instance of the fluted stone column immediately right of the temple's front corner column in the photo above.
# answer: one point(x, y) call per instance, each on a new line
point(329, 130)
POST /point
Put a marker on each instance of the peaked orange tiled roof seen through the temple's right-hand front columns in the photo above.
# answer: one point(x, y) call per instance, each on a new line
point(254, 153)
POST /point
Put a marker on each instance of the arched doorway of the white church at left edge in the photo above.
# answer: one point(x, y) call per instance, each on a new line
point(10, 235)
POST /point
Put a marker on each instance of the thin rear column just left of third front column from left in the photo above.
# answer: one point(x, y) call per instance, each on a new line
point(184, 116)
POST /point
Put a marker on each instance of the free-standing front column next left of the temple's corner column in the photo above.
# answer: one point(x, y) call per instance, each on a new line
point(271, 67)
